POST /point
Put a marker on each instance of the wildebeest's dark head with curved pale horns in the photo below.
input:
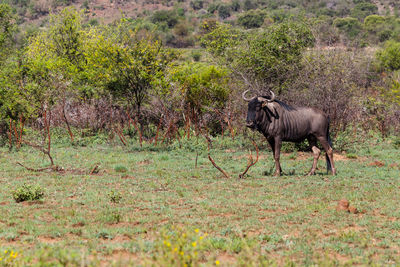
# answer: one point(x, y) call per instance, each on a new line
point(255, 106)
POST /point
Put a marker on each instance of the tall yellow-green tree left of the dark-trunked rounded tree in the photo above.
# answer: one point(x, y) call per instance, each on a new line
point(55, 61)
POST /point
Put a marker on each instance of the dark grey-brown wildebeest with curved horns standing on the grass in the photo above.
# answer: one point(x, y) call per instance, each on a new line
point(279, 122)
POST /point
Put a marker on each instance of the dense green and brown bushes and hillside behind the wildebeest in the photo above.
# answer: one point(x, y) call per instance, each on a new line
point(179, 67)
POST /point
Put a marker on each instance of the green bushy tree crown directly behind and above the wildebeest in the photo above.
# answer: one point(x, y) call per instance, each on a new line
point(264, 60)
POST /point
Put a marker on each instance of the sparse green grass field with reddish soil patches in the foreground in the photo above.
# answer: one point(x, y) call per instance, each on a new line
point(153, 206)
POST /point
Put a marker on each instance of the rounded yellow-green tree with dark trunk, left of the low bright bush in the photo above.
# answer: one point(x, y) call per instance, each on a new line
point(127, 63)
